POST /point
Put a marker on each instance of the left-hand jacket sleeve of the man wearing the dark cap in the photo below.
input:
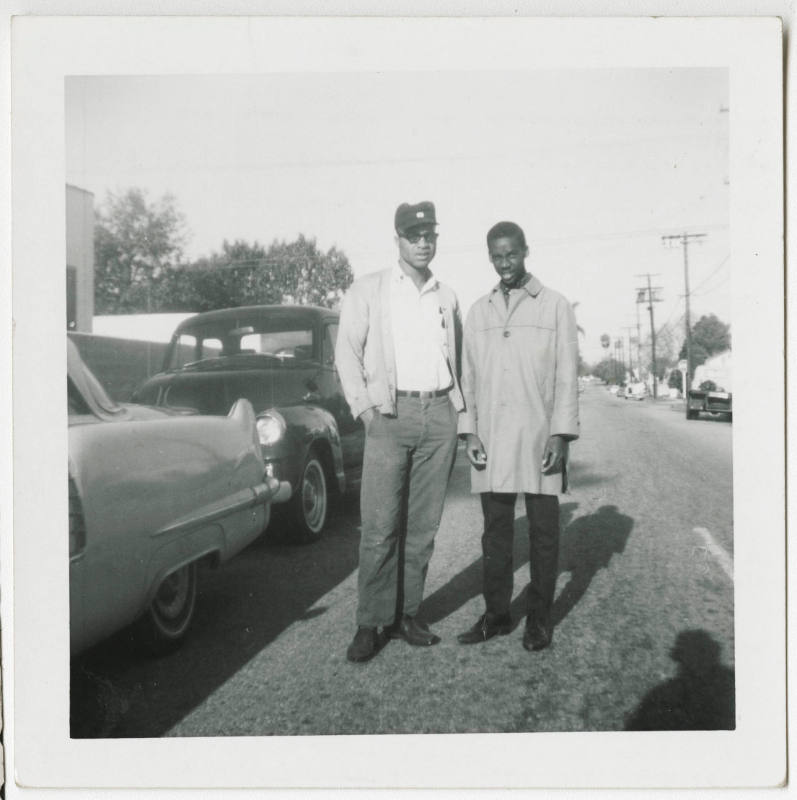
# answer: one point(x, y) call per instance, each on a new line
point(350, 349)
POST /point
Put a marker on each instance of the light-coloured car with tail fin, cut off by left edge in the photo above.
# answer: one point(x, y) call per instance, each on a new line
point(151, 494)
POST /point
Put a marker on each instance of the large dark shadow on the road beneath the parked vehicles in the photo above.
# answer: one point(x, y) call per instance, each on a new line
point(118, 691)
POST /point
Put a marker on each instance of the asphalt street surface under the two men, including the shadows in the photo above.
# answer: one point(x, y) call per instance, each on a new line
point(644, 614)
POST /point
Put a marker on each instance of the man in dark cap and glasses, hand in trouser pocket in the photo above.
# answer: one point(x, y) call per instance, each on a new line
point(397, 355)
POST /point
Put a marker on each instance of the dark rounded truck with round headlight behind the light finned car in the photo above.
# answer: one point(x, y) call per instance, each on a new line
point(282, 359)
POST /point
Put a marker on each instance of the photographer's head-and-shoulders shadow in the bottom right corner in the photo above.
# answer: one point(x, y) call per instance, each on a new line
point(701, 697)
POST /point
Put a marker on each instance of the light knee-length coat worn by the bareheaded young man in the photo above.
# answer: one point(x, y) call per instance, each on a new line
point(520, 384)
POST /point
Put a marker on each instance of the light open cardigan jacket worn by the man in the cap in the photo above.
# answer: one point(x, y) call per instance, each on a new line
point(364, 352)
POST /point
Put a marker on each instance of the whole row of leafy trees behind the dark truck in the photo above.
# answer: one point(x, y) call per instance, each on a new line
point(138, 248)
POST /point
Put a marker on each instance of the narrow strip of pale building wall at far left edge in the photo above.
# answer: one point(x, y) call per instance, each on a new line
point(79, 259)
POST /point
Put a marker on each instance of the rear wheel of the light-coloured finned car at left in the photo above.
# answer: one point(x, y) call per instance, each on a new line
point(168, 618)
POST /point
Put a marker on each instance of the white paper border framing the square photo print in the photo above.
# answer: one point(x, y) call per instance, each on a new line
point(47, 50)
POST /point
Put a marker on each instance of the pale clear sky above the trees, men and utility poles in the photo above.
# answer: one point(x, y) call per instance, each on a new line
point(595, 165)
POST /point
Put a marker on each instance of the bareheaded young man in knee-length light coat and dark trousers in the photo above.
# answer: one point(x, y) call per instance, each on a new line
point(520, 384)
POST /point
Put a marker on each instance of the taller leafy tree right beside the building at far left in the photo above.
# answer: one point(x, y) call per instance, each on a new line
point(136, 242)
